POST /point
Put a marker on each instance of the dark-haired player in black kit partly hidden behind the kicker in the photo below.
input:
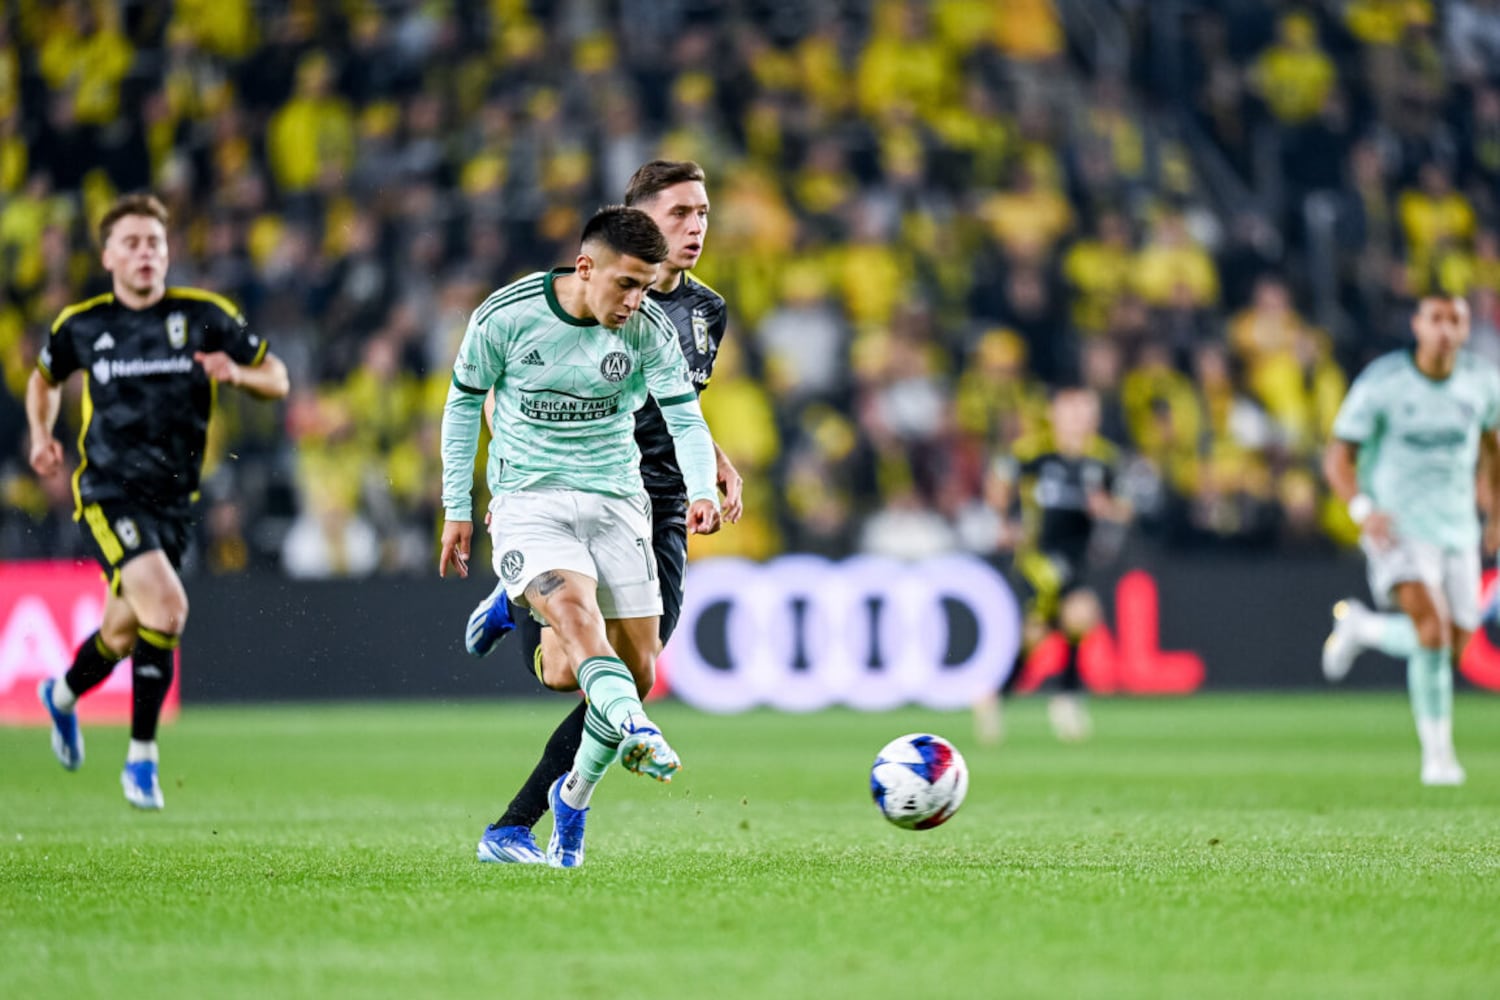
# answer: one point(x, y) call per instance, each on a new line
point(674, 194)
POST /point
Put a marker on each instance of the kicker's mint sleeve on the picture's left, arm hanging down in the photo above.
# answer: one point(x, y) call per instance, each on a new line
point(479, 365)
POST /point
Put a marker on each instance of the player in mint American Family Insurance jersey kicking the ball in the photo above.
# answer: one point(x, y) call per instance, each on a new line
point(572, 355)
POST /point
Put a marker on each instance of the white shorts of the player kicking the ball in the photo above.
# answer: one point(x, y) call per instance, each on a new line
point(602, 537)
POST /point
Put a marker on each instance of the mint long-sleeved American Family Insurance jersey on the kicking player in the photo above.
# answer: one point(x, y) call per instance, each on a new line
point(566, 397)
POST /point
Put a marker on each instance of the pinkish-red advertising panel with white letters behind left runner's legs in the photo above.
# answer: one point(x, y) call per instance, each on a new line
point(46, 611)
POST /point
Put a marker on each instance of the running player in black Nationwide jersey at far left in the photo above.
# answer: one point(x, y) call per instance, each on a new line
point(151, 358)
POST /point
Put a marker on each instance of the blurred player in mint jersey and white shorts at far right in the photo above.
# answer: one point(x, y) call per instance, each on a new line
point(1406, 451)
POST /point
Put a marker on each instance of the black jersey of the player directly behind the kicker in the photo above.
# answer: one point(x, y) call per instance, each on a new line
point(700, 316)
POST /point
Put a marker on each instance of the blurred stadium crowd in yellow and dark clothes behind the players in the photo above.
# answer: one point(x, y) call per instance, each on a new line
point(925, 215)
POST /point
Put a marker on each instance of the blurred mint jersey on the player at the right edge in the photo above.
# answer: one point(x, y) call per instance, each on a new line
point(1420, 443)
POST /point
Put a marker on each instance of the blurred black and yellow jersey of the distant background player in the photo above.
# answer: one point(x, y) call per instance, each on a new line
point(1054, 493)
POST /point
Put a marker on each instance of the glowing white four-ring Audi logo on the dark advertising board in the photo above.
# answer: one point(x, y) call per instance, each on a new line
point(802, 633)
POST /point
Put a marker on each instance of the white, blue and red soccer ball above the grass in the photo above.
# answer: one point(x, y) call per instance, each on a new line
point(919, 782)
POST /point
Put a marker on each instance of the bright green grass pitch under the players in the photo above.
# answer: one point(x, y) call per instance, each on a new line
point(1208, 848)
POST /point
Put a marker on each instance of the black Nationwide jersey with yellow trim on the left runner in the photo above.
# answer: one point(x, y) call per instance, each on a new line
point(146, 401)
